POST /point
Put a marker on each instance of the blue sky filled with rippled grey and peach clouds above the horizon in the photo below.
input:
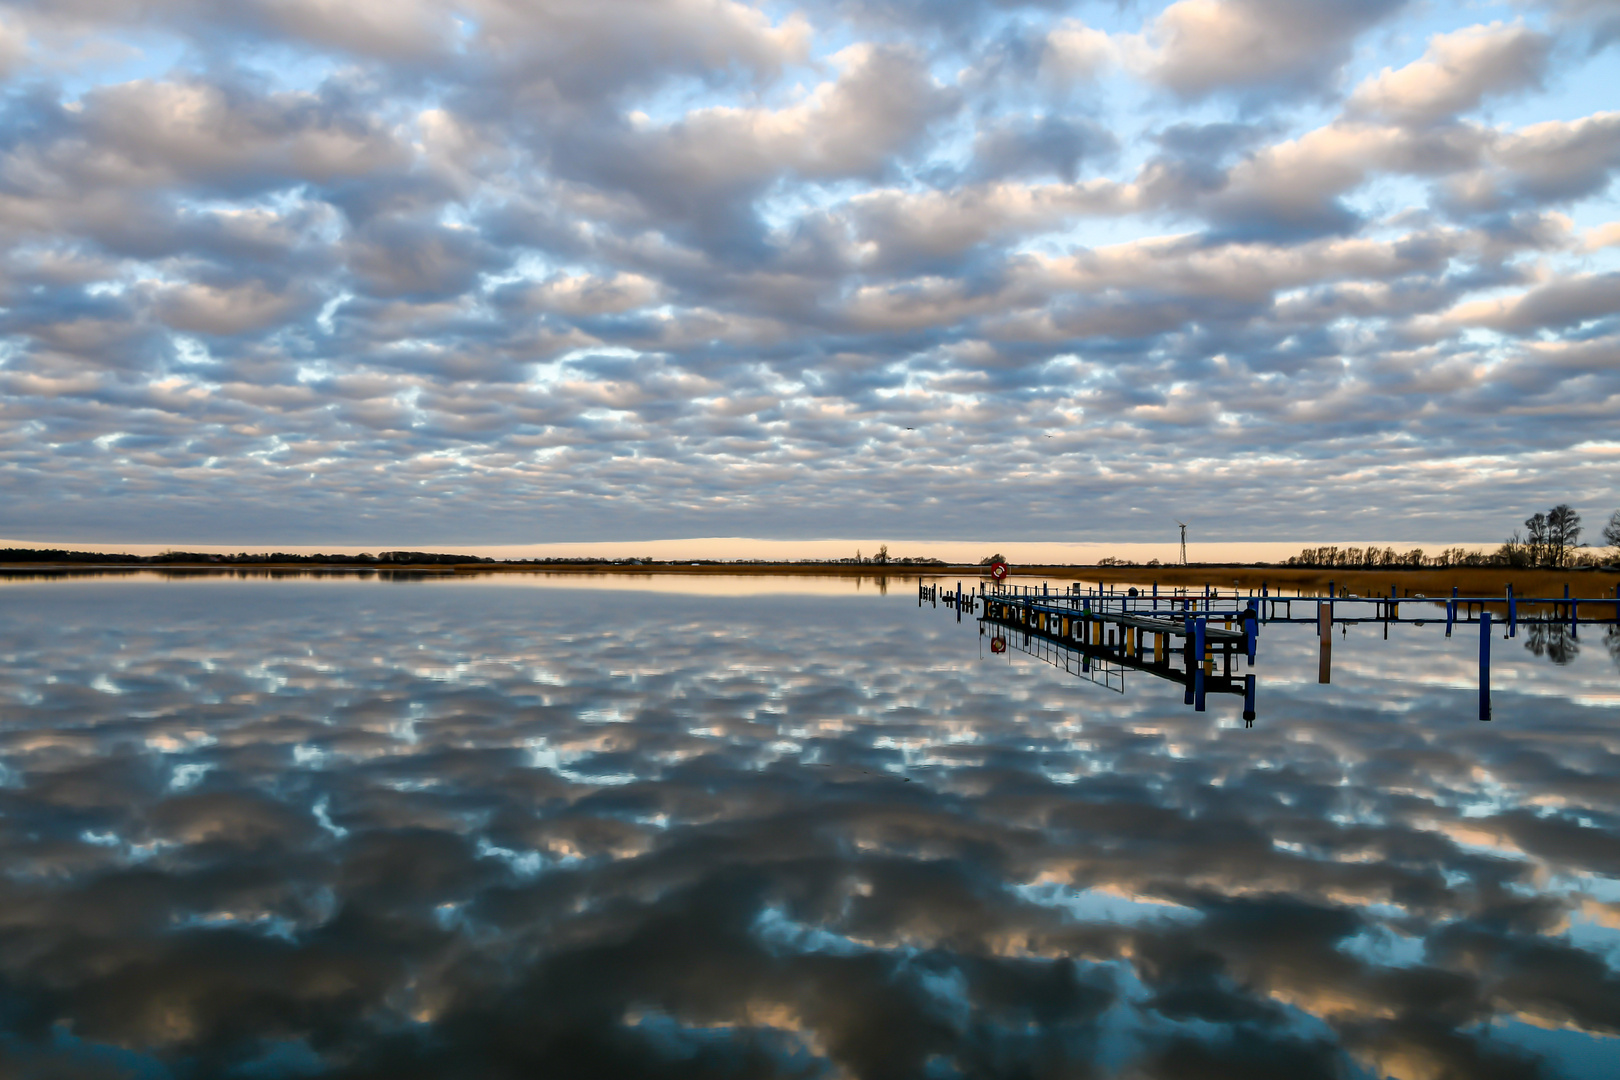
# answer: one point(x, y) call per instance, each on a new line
point(495, 273)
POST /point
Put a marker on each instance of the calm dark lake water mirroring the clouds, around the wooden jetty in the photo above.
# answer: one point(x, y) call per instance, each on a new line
point(482, 830)
